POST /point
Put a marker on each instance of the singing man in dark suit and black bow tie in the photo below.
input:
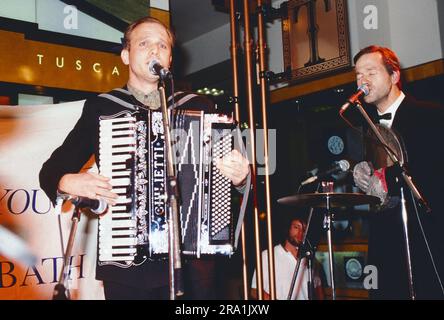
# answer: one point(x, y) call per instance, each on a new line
point(420, 125)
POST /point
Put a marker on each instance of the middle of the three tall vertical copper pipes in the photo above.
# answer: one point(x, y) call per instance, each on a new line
point(252, 125)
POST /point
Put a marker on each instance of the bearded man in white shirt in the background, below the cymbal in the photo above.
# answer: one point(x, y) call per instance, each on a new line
point(286, 257)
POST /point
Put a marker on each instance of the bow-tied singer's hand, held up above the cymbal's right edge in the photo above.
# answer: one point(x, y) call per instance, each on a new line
point(370, 181)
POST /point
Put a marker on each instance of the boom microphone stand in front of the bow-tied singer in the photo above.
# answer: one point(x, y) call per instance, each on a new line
point(402, 173)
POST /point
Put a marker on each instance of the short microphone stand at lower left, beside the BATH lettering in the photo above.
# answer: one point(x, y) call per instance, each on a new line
point(60, 290)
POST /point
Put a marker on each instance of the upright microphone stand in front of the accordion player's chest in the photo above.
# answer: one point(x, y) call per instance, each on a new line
point(174, 259)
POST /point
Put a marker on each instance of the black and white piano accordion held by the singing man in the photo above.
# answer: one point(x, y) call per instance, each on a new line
point(132, 153)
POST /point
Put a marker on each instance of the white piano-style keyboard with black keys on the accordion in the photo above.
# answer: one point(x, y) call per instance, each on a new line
point(117, 228)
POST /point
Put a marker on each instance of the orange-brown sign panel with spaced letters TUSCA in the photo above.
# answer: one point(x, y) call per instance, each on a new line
point(58, 66)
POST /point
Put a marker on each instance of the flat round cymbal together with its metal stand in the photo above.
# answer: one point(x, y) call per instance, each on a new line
point(328, 201)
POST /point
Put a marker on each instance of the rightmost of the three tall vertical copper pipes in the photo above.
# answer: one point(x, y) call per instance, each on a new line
point(263, 87)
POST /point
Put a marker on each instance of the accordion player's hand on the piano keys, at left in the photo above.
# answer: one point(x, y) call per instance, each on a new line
point(88, 184)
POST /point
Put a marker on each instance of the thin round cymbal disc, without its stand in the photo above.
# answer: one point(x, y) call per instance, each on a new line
point(319, 200)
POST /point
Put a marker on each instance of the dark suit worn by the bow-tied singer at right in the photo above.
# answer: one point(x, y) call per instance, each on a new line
point(421, 127)
